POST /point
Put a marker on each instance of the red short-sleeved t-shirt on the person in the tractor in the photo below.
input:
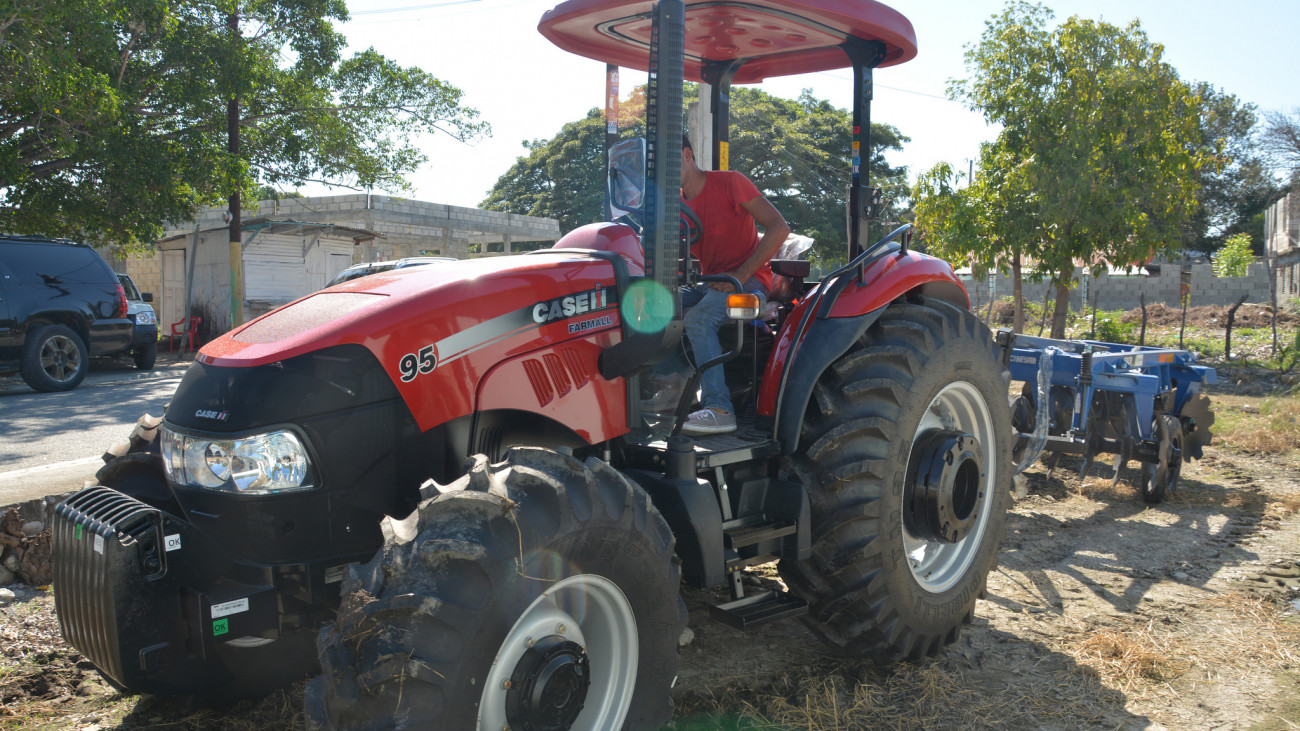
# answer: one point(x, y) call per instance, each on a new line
point(730, 235)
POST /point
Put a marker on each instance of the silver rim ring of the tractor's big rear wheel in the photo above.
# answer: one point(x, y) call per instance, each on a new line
point(959, 408)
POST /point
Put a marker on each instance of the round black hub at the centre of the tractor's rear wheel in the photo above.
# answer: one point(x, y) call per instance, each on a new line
point(946, 486)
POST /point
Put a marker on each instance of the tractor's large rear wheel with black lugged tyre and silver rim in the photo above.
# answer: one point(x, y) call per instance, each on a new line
point(907, 455)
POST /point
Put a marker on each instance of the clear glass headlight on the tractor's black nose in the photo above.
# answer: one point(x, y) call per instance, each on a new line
point(259, 465)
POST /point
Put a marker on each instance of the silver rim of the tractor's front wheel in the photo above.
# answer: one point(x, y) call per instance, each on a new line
point(584, 616)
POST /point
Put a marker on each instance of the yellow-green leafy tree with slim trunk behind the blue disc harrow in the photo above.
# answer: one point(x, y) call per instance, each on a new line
point(1100, 145)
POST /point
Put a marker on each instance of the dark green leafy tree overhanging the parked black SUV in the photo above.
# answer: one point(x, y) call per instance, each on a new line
point(114, 115)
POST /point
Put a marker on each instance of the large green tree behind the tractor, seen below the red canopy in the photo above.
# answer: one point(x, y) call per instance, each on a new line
point(796, 153)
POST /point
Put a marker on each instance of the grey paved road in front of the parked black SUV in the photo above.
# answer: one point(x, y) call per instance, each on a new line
point(51, 443)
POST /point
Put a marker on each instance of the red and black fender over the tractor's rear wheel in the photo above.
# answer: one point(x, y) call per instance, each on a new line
point(843, 314)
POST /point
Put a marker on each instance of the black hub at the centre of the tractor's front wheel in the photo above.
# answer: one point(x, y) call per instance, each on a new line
point(549, 686)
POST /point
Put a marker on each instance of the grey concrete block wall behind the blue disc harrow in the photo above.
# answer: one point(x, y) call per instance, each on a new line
point(1125, 292)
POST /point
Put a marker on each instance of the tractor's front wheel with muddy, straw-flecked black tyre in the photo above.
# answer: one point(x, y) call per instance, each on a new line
point(536, 594)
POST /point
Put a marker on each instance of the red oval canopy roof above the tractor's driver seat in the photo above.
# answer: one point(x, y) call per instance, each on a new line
point(777, 38)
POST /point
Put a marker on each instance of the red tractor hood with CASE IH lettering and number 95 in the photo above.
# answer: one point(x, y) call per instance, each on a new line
point(439, 335)
